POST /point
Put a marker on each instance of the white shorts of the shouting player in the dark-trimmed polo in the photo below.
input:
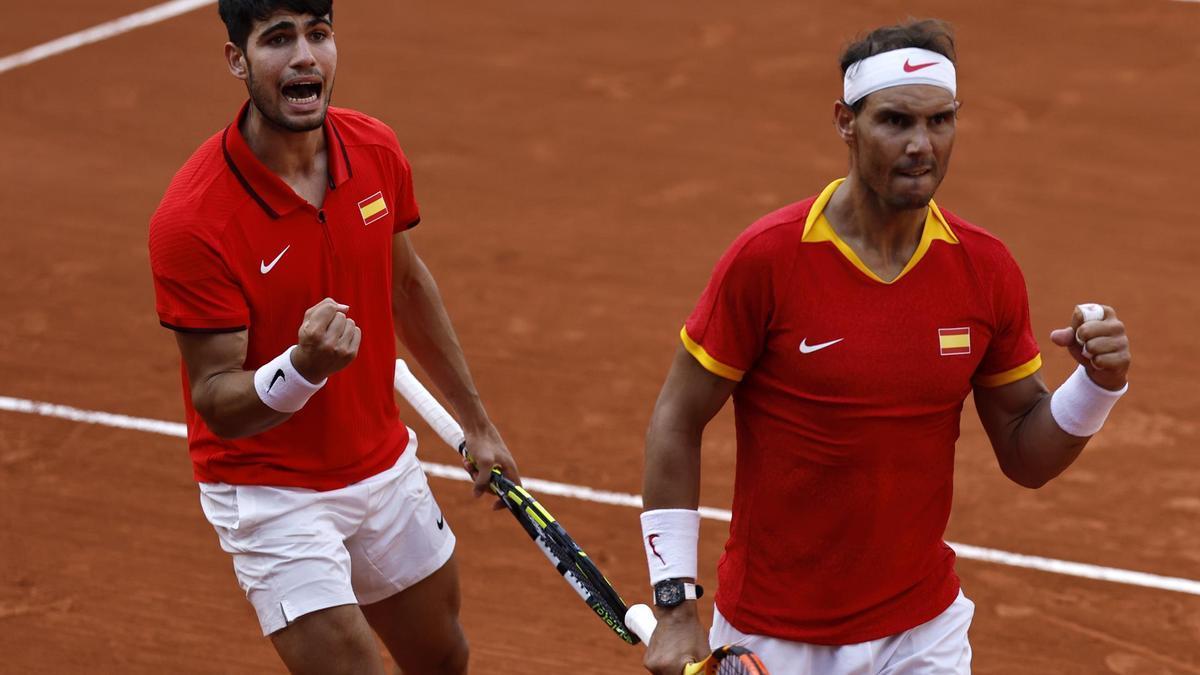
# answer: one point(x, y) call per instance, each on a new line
point(298, 551)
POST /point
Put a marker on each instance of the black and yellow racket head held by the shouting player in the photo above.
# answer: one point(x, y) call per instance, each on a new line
point(568, 558)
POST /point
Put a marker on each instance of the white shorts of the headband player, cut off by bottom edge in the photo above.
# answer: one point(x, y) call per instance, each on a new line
point(939, 647)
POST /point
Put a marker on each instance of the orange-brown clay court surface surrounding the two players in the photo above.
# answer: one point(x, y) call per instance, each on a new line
point(580, 169)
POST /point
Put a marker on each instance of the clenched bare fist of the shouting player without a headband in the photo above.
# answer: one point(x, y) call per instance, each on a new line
point(328, 342)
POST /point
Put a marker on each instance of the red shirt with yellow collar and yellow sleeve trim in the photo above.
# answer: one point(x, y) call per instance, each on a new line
point(848, 410)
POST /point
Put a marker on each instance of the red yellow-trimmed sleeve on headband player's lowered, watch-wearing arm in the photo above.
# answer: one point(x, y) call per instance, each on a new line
point(728, 331)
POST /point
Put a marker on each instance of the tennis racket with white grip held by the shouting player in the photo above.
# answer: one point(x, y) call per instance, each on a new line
point(553, 540)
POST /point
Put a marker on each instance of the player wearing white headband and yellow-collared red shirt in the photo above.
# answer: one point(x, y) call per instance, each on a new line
point(849, 328)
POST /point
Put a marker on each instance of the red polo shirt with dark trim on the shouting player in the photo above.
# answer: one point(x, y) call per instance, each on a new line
point(233, 248)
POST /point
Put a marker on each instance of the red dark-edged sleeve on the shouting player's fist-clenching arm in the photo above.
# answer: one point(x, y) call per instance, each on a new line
point(195, 291)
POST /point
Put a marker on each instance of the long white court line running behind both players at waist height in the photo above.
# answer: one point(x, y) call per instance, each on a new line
point(635, 501)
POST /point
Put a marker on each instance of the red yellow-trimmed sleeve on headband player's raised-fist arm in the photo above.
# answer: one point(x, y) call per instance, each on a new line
point(1013, 353)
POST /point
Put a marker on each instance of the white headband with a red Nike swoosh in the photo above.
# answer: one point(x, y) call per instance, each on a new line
point(897, 69)
